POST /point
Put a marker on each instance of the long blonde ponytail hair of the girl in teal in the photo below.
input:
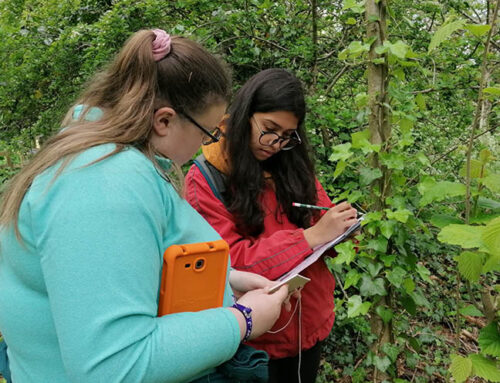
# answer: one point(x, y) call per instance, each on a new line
point(188, 79)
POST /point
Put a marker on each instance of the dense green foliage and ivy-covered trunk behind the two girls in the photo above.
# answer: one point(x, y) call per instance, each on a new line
point(403, 101)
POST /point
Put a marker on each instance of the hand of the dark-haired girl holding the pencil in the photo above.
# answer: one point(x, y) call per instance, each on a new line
point(332, 224)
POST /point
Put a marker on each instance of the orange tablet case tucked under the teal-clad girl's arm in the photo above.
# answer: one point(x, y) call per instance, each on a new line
point(193, 277)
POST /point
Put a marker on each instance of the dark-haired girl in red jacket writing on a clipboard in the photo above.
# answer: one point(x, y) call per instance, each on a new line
point(264, 160)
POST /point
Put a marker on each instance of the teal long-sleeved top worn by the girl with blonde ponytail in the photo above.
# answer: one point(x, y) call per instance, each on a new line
point(78, 298)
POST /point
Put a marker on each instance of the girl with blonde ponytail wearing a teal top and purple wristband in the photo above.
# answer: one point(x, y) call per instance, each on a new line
point(84, 225)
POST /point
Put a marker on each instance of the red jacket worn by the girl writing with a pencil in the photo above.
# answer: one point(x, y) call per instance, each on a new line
point(274, 252)
